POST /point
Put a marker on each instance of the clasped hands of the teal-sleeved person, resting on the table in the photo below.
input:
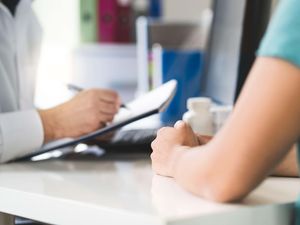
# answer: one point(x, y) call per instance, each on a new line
point(169, 145)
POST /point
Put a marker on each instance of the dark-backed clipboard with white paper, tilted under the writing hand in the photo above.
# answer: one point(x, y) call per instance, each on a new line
point(151, 103)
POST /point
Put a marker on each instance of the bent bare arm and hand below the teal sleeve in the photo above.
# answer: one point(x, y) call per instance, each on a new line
point(257, 137)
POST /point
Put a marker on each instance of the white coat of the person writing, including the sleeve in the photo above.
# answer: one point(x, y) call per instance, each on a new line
point(21, 130)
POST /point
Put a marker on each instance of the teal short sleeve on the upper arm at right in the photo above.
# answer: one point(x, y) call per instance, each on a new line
point(282, 39)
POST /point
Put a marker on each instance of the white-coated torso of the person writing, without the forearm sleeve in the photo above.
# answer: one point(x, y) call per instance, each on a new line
point(20, 38)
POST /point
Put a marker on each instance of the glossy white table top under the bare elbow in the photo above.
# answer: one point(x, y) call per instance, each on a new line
point(126, 192)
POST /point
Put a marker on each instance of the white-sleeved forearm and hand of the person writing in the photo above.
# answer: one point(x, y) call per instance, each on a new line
point(24, 132)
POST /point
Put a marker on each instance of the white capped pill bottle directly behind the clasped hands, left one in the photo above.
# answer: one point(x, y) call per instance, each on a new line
point(199, 116)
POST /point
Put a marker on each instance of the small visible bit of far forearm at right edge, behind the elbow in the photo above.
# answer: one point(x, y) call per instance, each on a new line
point(288, 167)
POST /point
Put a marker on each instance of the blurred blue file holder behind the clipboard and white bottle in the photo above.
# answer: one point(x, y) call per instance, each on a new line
point(186, 67)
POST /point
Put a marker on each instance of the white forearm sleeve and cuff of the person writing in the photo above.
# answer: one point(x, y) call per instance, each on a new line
point(21, 133)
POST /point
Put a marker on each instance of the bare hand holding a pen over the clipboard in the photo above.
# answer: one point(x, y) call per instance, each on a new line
point(85, 113)
